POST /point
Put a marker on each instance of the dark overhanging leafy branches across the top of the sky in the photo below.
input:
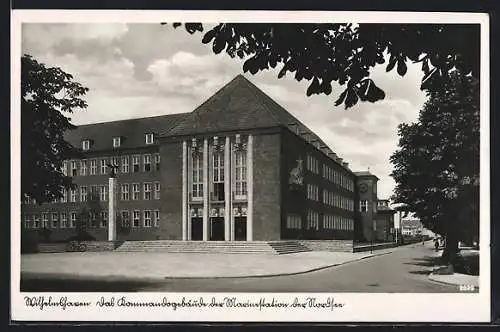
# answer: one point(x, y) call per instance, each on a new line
point(345, 53)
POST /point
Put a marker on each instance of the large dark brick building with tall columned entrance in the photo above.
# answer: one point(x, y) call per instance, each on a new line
point(237, 168)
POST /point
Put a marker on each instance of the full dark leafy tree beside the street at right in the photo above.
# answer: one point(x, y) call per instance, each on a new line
point(436, 167)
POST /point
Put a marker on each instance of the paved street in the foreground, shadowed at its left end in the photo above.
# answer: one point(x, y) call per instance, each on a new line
point(404, 270)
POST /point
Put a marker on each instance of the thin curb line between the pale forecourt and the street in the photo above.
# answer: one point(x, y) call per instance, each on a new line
point(121, 277)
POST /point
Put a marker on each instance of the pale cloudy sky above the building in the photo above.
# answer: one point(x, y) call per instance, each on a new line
point(143, 69)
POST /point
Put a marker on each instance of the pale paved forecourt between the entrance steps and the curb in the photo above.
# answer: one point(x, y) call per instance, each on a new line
point(178, 265)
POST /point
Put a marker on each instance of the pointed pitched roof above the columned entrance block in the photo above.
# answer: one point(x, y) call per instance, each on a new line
point(242, 105)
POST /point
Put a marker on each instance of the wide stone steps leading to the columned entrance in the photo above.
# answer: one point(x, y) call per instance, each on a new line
point(213, 247)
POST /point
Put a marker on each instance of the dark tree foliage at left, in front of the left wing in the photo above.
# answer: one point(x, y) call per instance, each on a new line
point(47, 95)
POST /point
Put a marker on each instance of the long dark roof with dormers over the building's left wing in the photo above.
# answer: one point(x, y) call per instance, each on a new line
point(132, 131)
